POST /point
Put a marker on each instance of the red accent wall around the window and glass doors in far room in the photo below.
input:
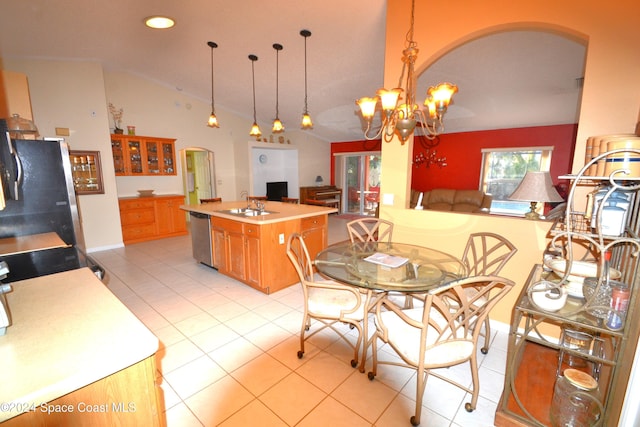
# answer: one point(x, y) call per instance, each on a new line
point(464, 156)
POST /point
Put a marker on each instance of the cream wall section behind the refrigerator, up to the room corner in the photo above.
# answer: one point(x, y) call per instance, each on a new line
point(71, 95)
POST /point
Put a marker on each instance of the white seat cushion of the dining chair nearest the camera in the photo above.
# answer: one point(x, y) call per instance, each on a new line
point(406, 340)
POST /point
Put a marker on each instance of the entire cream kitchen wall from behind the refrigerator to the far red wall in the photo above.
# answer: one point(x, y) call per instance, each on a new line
point(75, 95)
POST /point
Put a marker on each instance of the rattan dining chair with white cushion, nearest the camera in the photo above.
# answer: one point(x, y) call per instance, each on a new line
point(436, 336)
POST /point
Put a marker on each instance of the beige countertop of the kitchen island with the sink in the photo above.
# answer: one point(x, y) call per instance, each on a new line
point(281, 211)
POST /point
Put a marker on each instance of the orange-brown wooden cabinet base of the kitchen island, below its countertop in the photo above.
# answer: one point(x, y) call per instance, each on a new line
point(256, 254)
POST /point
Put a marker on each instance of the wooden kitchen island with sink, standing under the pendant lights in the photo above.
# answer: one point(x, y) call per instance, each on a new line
point(253, 249)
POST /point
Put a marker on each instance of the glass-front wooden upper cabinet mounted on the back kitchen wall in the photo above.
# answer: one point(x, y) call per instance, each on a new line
point(143, 155)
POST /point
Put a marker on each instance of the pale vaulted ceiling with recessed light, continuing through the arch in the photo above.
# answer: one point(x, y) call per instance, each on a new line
point(515, 79)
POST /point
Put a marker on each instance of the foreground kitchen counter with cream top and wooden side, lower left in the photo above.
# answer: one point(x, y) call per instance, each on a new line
point(75, 355)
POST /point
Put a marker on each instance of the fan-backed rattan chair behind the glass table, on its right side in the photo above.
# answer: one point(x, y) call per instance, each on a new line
point(486, 254)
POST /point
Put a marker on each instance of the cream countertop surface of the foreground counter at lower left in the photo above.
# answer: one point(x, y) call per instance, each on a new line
point(67, 331)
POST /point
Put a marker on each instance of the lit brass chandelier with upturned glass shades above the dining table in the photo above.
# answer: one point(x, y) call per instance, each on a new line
point(400, 117)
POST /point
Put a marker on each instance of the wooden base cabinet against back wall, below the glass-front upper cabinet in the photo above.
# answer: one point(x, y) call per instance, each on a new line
point(149, 218)
